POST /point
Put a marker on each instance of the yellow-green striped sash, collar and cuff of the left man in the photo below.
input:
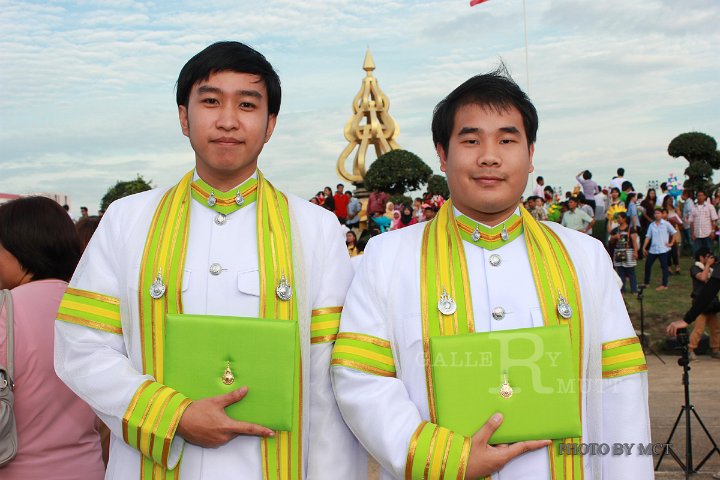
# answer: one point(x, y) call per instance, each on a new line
point(164, 256)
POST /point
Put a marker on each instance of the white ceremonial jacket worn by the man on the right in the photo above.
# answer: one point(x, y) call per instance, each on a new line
point(384, 302)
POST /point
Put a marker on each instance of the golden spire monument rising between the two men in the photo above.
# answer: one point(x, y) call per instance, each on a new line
point(370, 124)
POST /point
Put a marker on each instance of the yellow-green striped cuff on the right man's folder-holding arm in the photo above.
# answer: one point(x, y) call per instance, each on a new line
point(436, 452)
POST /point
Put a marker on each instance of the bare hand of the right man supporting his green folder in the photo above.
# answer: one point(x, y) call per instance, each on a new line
point(487, 459)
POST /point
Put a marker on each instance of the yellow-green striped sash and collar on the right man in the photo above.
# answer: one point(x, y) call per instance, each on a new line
point(444, 268)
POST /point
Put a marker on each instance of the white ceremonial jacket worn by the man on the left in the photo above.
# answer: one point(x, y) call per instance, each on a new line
point(105, 369)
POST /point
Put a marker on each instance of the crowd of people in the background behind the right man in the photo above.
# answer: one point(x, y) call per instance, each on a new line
point(633, 225)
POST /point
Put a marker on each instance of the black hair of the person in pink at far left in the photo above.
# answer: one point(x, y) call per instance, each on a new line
point(41, 236)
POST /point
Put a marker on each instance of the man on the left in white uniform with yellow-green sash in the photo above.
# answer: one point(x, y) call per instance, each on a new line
point(222, 242)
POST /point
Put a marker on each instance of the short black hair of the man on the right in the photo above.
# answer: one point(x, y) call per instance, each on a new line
point(495, 90)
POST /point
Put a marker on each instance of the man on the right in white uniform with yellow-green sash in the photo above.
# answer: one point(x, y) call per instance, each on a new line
point(485, 265)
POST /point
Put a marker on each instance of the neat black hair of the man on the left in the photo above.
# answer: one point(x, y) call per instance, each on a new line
point(229, 56)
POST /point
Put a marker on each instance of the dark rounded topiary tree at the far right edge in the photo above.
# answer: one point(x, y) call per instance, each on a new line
point(700, 150)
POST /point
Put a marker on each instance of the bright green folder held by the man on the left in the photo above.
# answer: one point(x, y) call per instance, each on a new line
point(259, 353)
